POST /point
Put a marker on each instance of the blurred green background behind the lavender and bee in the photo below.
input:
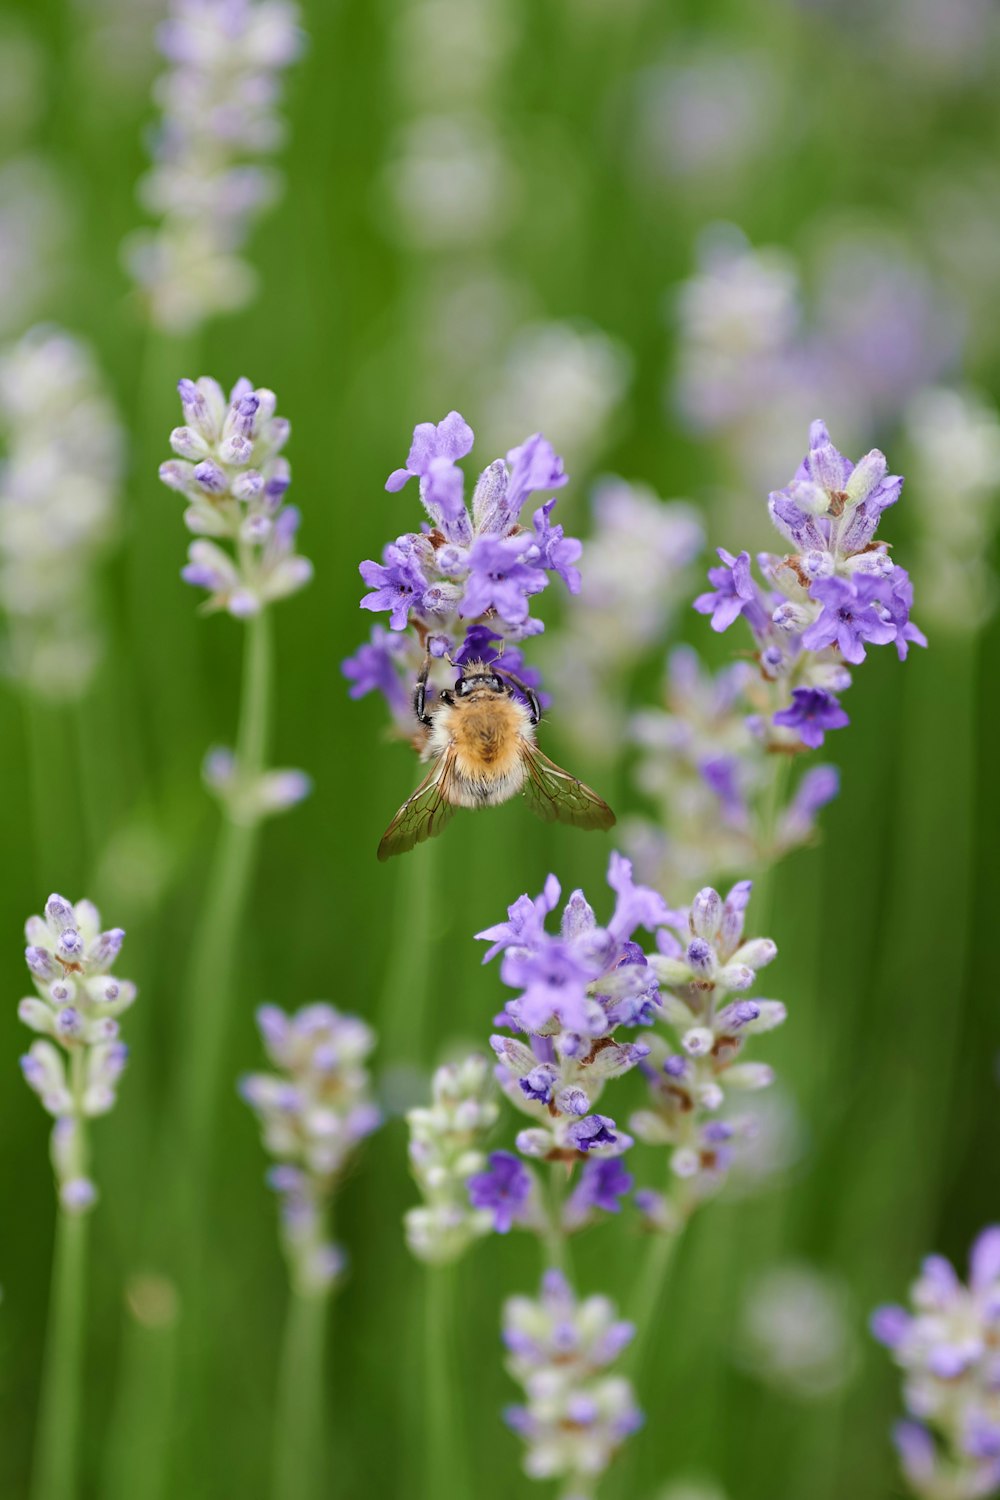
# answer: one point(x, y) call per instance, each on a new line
point(388, 298)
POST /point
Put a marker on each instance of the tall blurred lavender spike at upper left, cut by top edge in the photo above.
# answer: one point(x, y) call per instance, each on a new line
point(218, 101)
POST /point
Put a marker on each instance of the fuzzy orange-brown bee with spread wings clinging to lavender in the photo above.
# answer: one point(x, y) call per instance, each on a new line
point(482, 740)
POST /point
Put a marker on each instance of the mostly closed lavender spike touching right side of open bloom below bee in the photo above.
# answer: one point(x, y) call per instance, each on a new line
point(704, 968)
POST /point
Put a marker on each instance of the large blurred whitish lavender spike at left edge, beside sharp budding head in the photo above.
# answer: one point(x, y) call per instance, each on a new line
point(59, 497)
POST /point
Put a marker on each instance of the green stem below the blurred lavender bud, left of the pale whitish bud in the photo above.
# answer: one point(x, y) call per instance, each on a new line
point(299, 1468)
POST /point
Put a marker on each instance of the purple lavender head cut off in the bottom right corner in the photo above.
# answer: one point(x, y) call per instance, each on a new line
point(950, 1447)
